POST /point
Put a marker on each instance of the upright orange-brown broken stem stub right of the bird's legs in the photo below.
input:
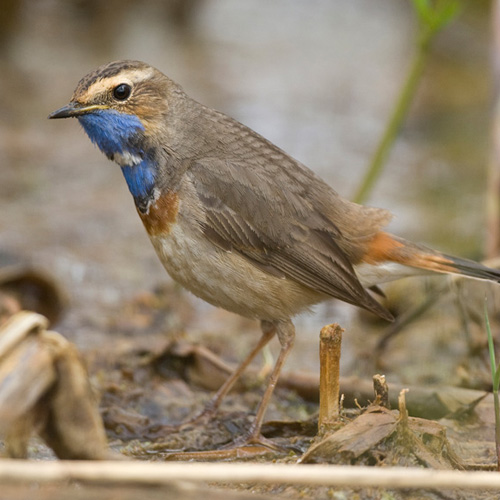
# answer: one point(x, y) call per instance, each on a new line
point(329, 389)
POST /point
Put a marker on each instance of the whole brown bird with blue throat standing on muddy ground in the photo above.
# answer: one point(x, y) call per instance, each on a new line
point(236, 220)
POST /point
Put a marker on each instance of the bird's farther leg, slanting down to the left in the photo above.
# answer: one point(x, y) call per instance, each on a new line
point(212, 406)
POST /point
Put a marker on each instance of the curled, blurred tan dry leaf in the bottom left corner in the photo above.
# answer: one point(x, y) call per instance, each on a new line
point(44, 388)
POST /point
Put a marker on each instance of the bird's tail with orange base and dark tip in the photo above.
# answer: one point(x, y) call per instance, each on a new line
point(393, 257)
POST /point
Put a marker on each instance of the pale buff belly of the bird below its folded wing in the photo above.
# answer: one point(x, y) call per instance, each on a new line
point(228, 280)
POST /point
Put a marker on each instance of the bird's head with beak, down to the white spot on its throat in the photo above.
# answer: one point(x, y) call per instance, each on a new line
point(119, 105)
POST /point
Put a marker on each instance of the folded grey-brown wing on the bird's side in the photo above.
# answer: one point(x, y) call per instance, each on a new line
point(273, 223)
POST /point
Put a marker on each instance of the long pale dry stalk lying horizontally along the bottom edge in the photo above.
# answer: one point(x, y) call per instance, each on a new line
point(155, 474)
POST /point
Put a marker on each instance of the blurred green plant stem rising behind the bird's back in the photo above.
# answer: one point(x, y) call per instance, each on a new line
point(432, 17)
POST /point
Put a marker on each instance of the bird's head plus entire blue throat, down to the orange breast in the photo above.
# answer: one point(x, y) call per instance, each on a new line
point(125, 107)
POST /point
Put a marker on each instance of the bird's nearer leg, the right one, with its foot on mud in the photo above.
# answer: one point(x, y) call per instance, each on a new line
point(286, 336)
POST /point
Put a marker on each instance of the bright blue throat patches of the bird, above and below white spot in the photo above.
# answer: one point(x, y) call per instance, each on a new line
point(119, 133)
